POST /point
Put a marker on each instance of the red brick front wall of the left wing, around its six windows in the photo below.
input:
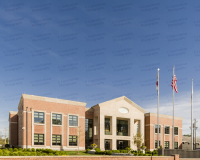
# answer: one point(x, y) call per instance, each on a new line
point(49, 107)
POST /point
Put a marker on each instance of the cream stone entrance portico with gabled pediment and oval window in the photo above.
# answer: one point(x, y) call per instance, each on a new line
point(115, 123)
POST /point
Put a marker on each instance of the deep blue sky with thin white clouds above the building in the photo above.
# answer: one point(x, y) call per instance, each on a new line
point(95, 51)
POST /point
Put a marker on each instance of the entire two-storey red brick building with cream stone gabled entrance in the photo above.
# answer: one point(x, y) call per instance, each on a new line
point(43, 122)
